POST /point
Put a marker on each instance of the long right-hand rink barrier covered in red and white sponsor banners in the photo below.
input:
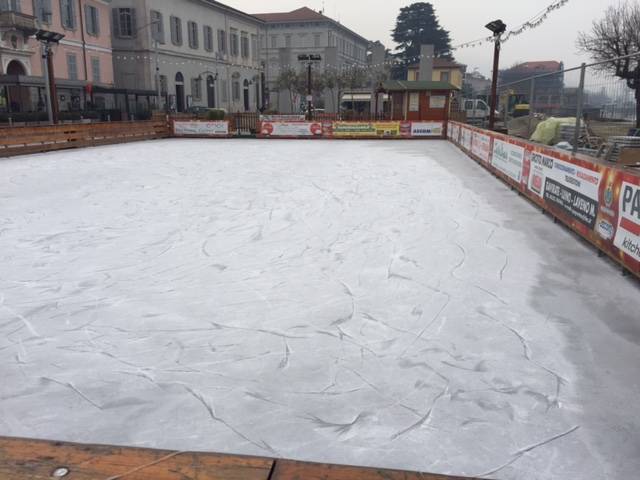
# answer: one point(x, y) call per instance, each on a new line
point(598, 201)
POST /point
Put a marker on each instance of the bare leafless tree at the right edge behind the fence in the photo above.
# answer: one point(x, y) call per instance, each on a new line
point(614, 36)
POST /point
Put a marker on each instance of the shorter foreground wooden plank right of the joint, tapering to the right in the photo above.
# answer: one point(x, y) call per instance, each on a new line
point(289, 470)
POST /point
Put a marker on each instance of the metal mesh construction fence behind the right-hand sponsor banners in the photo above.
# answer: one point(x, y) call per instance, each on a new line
point(597, 107)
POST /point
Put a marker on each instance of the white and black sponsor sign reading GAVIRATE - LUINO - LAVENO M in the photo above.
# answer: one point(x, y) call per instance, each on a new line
point(571, 188)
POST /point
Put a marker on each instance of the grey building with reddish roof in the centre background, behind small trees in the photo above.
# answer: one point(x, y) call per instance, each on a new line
point(287, 35)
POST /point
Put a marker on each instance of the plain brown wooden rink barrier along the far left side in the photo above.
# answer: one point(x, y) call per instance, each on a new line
point(35, 139)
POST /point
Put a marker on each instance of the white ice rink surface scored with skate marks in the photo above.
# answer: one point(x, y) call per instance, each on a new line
point(374, 303)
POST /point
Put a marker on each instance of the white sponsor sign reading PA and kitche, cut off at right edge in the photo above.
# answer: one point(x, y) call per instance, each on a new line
point(627, 237)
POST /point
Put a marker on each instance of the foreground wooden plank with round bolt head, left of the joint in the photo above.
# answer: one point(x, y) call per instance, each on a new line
point(22, 459)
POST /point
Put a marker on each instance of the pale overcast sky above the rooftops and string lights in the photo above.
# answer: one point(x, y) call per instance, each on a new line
point(465, 19)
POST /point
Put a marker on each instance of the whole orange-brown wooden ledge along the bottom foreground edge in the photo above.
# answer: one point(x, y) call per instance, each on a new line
point(23, 459)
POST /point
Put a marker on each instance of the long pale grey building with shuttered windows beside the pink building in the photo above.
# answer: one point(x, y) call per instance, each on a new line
point(206, 53)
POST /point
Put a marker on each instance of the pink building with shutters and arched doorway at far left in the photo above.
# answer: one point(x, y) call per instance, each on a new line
point(82, 61)
